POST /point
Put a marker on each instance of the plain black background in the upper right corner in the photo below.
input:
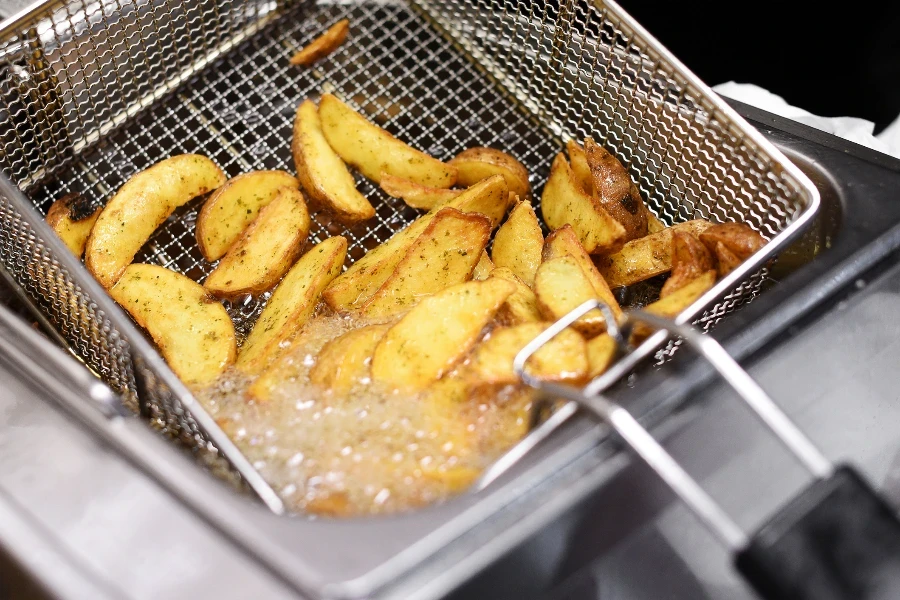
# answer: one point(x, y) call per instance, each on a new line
point(830, 59)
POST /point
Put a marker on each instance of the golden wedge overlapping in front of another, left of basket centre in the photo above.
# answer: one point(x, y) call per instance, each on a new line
point(265, 251)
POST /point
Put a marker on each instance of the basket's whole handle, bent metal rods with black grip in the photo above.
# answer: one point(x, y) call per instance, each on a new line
point(836, 540)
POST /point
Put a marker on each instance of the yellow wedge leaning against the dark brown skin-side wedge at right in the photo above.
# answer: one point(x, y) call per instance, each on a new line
point(564, 202)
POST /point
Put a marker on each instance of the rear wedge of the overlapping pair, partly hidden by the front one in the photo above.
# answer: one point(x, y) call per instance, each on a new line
point(231, 208)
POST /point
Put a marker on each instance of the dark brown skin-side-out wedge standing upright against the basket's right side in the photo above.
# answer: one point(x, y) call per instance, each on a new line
point(615, 191)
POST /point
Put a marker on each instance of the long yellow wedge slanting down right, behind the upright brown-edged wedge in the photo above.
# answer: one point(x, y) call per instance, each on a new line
point(374, 151)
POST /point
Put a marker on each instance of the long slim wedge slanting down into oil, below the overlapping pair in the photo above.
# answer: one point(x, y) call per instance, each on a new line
point(292, 304)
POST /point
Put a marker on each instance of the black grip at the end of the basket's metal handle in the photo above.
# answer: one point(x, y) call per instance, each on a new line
point(837, 540)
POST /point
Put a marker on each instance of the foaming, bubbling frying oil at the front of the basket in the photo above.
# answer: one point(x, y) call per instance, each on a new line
point(370, 450)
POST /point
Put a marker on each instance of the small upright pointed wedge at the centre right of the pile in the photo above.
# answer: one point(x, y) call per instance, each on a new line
point(519, 243)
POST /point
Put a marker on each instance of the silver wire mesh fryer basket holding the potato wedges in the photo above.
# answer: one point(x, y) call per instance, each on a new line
point(91, 92)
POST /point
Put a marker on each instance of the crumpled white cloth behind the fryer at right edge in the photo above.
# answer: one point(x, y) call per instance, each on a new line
point(849, 128)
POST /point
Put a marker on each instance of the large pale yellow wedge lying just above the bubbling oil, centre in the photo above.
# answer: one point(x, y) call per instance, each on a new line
point(436, 334)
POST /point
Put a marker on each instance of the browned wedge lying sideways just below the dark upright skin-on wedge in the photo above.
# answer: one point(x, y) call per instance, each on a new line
point(644, 257)
